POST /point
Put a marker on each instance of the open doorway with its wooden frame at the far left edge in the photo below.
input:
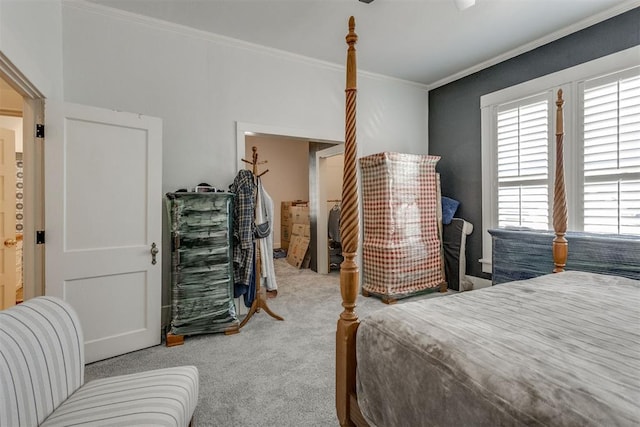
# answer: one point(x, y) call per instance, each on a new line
point(21, 107)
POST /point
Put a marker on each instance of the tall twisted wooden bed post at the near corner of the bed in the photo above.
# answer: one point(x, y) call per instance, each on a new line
point(349, 234)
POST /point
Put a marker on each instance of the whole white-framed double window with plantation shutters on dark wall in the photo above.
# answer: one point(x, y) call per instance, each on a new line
point(601, 150)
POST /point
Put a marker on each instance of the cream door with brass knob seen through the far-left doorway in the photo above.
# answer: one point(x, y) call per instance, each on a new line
point(7, 218)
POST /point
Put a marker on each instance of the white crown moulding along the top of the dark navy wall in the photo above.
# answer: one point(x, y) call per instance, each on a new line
point(581, 25)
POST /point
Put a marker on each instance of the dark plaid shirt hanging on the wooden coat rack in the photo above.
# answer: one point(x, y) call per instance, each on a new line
point(243, 230)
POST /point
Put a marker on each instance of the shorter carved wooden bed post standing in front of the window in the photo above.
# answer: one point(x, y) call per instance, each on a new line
point(560, 244)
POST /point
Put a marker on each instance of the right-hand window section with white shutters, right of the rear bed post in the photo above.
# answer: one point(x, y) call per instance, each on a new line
point(611, 154)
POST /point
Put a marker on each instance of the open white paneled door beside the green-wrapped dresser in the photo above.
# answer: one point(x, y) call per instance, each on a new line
point(105, 244)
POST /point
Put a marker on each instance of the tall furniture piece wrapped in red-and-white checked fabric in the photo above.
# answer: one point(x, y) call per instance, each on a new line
point(402, 250)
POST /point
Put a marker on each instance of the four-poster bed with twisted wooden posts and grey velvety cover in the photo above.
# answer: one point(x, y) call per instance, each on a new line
point(559, 349)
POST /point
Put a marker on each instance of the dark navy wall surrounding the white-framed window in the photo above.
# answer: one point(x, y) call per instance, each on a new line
point(454, 111)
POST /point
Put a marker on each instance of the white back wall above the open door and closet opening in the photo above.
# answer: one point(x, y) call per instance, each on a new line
point(201, 85)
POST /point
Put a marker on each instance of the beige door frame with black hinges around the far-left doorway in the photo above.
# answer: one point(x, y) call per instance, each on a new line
point(33, 157)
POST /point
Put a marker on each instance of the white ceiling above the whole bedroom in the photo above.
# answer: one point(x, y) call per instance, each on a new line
point(424, 41)
